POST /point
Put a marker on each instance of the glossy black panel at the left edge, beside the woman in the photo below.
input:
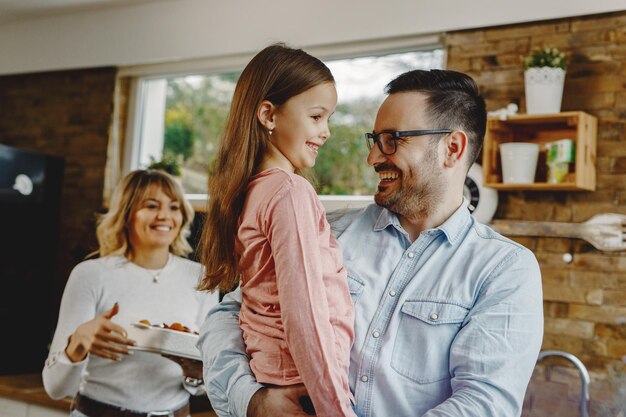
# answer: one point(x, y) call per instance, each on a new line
point(30, 200)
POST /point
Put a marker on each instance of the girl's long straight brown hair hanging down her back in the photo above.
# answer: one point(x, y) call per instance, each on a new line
point(277, 73)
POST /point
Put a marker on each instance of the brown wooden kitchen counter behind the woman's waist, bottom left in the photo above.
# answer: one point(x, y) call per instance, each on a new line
point(29, 389)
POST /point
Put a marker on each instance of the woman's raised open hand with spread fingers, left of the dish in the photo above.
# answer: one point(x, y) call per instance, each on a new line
point(100, 337)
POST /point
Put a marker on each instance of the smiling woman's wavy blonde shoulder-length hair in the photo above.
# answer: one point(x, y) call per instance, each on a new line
point(113, 227)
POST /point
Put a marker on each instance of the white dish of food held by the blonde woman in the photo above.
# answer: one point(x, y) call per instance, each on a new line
point(166, 341)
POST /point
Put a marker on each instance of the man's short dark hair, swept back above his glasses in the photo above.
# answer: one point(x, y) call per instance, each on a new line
point(453, 102)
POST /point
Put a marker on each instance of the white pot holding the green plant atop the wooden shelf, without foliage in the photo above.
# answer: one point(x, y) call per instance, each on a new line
point(544, 89)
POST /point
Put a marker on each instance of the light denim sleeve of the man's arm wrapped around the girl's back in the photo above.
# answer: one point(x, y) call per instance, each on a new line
point(228, 379)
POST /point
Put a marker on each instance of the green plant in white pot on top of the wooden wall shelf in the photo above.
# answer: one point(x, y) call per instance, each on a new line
point(544, 77)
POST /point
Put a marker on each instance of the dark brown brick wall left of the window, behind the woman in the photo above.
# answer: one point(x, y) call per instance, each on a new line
point(65, 114)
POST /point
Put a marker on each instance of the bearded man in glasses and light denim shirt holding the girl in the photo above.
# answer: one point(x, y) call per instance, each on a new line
point(449, 317)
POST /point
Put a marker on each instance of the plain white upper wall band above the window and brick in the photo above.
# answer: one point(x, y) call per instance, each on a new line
point(164, 31)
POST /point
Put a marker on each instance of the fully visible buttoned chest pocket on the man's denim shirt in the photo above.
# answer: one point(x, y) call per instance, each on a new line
point(426, 330)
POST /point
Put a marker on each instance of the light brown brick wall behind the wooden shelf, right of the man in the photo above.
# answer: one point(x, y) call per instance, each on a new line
point(585, 300)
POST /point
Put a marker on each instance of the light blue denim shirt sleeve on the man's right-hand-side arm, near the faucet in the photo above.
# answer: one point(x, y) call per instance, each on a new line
point(494, 354)
